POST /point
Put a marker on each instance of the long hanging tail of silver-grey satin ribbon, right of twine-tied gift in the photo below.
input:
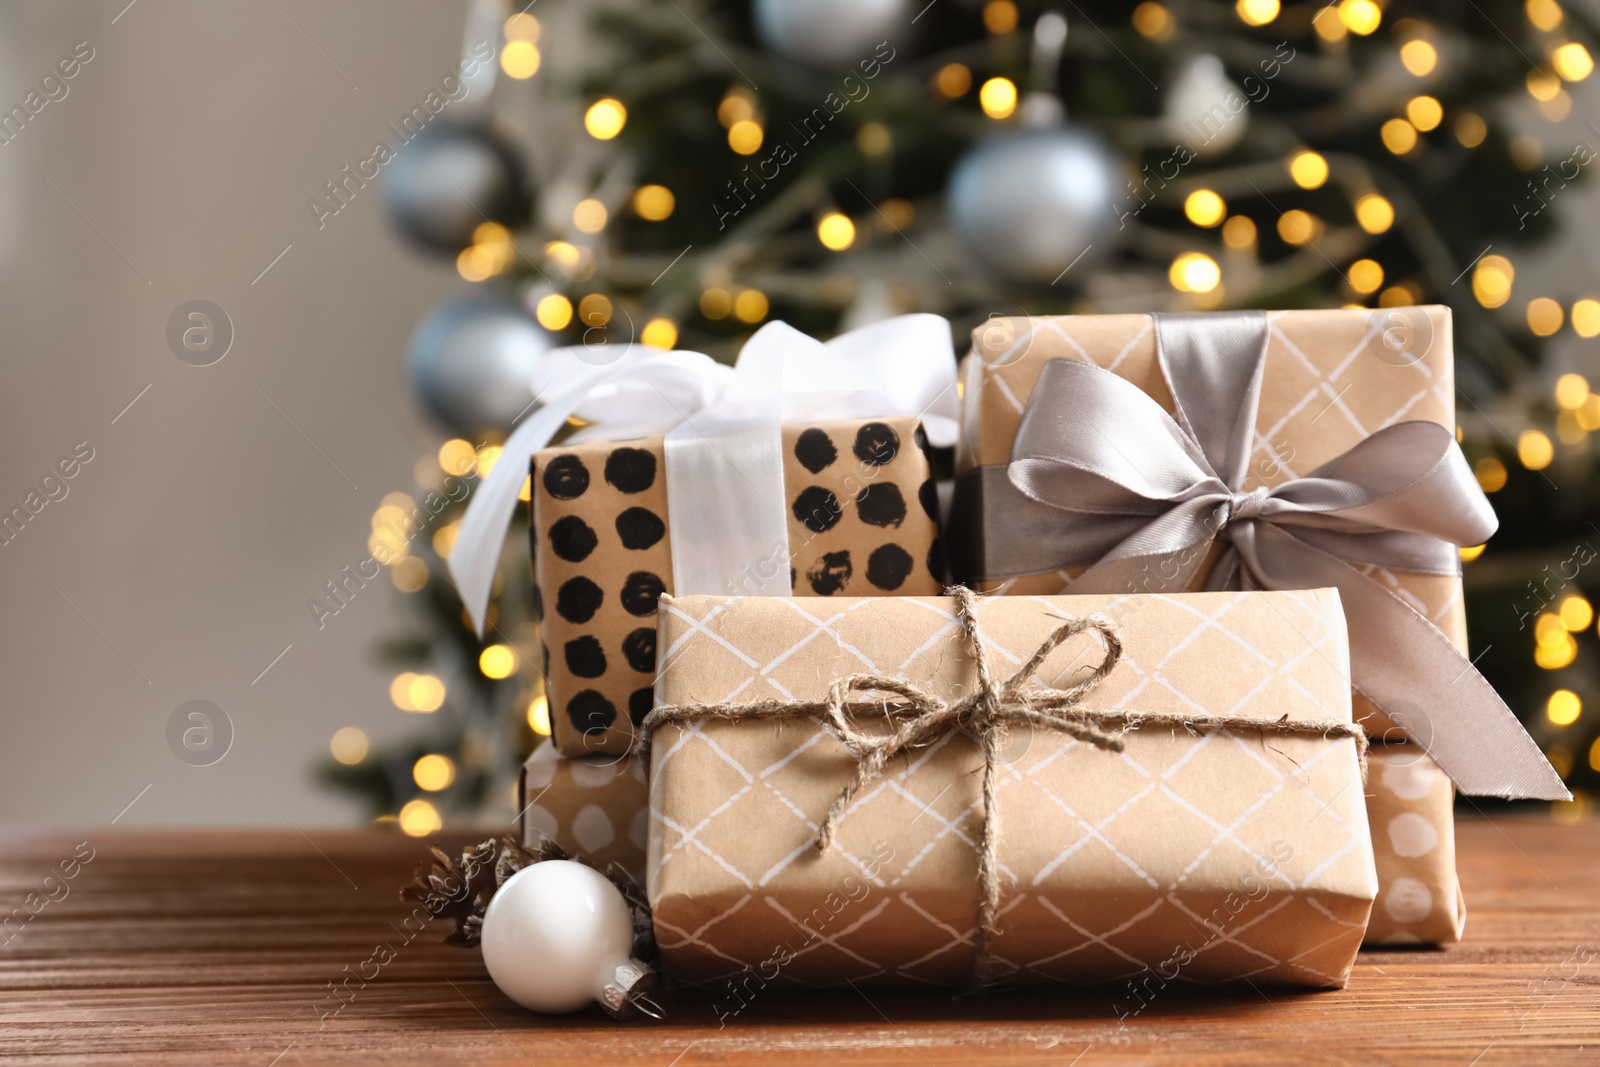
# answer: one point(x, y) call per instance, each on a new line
point(1415, 676)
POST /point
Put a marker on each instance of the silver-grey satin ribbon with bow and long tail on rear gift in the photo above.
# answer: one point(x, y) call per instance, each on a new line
point(1146, 498)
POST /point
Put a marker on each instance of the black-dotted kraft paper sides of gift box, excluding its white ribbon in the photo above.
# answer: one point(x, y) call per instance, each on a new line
point(863, 521)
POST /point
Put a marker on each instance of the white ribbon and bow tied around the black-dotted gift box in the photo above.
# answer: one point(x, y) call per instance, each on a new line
point(724, 457)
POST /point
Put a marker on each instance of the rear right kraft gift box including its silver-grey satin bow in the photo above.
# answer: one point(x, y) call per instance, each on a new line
point(1153, 454)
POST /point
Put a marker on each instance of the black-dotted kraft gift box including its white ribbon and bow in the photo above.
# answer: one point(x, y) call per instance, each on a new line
point(801, 471)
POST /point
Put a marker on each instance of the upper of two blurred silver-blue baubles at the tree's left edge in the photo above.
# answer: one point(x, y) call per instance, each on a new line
point(450, 180)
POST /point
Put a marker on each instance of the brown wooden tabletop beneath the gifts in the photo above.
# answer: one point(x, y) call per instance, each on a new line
point(220, 949)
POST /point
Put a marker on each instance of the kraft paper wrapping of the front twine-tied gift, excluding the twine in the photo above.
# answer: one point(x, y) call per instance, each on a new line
point(1198, 853)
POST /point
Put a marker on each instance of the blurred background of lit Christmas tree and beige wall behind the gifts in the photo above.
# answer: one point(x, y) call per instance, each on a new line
point(278, 273)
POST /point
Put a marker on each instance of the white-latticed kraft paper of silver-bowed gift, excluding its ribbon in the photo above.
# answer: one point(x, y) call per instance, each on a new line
point(1330, 382)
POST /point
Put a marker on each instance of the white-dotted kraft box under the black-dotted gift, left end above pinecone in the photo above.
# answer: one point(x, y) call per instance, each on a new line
point(596, 809)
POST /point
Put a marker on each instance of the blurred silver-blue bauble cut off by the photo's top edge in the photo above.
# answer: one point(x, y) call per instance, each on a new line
point(831, 33)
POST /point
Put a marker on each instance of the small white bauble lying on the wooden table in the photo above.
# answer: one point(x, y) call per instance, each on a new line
point(559, 937)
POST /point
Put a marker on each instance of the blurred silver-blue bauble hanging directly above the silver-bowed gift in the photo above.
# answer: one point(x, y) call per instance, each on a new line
point(1033, 204)
